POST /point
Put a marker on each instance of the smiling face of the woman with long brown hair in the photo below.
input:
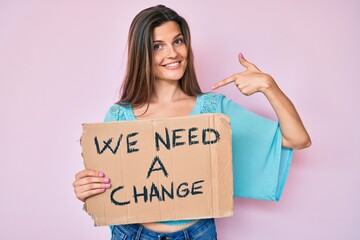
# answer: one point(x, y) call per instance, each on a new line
point(170, 52)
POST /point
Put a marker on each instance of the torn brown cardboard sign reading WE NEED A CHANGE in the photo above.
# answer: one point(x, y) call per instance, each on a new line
point(170, 169)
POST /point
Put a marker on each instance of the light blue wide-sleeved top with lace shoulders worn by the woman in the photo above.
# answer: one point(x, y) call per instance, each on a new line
point(260, 163)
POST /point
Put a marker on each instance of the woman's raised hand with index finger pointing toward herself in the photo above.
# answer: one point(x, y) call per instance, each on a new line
point(250, 81)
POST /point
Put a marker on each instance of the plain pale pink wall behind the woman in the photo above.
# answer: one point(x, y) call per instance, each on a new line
point(61, 64)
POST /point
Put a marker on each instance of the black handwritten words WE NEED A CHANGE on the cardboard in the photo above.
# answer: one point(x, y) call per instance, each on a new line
point(175, 139)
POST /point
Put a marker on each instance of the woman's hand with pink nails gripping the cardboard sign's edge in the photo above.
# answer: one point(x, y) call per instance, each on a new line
point(89, 183)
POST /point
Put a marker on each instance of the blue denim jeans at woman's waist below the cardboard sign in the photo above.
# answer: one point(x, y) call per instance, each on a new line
point(203, 229)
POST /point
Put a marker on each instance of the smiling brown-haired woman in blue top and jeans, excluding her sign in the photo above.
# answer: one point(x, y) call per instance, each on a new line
point(160, 82)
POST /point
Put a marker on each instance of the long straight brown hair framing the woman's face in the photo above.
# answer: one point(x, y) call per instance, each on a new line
point(138, 84)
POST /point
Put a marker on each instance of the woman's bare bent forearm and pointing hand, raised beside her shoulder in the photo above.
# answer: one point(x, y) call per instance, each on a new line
point(252, 80)
